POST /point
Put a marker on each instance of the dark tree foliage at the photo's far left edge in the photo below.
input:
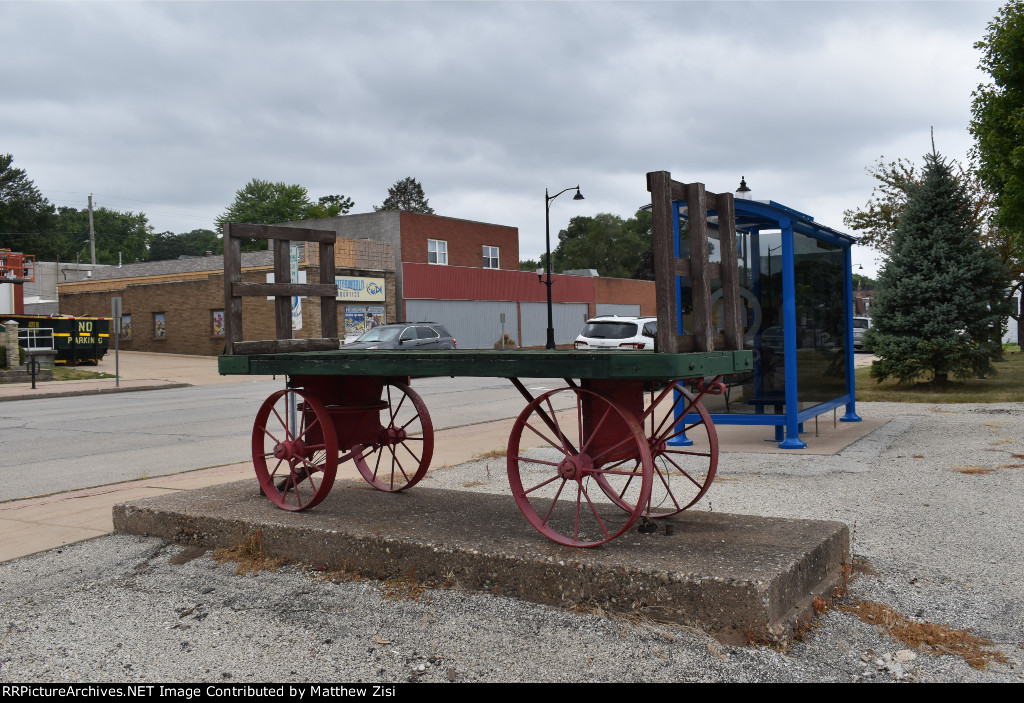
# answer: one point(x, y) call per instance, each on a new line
point(25, 215)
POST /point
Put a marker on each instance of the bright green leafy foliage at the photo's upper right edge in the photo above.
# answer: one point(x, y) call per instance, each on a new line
point(998, 109)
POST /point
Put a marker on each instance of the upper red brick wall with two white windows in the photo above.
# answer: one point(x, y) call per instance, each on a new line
point(465, 241)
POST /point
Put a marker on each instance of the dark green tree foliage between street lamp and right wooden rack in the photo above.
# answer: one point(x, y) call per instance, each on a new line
point(605, 242)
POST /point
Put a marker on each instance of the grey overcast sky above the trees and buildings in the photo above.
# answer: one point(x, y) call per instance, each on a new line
point(170, 108)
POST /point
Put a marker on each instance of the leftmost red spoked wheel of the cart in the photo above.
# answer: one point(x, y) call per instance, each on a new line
point(295, 454)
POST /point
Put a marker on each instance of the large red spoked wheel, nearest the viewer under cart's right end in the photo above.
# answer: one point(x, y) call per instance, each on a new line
point(557, 488)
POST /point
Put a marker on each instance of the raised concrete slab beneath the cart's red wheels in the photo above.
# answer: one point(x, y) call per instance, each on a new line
point(741, 578)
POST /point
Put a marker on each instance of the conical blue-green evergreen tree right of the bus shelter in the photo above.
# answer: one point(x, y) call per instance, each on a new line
point(940, 298)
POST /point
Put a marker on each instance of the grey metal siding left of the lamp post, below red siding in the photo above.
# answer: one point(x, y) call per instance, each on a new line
point(475, 325)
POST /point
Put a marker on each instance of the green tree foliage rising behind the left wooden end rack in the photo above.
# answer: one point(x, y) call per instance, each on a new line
point(263, 202)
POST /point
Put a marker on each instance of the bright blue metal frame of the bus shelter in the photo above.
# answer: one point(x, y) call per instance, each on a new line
point(752, 217)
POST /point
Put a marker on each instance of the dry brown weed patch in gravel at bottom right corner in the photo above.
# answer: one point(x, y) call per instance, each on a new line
point(927, 637)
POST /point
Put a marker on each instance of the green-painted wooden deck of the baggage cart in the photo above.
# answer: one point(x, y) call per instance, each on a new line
point(473, 363)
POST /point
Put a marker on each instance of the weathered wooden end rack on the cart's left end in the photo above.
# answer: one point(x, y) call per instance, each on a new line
point(282, 290)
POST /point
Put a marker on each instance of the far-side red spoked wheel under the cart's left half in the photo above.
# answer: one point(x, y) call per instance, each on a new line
point(402, 455)
